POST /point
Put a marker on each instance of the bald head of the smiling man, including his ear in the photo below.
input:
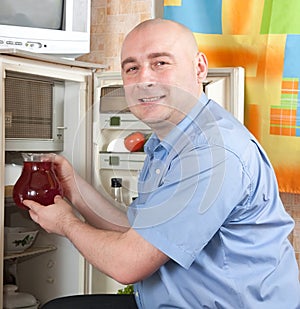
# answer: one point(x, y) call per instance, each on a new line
point(162, 71)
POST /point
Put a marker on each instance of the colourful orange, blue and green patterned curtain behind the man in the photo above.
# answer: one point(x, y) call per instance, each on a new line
point(263, 36)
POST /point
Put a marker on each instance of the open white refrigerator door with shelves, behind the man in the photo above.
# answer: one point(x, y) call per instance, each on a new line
point(112, 121)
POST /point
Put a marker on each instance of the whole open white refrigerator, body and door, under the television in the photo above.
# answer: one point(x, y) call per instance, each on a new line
point(90, 103)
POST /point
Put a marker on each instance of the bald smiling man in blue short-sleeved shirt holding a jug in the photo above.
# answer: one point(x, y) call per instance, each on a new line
point(208, 229)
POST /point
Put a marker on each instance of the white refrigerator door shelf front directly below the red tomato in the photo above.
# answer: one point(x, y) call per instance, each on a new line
point(122, 161)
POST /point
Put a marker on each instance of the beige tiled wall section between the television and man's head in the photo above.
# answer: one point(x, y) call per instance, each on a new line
point(111, 20)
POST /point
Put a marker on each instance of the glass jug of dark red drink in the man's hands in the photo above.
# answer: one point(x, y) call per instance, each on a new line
point(38, 181)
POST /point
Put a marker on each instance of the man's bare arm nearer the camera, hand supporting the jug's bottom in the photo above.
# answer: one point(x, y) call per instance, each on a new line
point(124, 256)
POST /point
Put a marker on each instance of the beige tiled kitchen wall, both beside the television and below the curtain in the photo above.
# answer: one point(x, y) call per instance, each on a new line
point(111, 21)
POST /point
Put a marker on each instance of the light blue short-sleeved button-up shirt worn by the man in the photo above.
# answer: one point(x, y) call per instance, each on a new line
point(208, 199)
